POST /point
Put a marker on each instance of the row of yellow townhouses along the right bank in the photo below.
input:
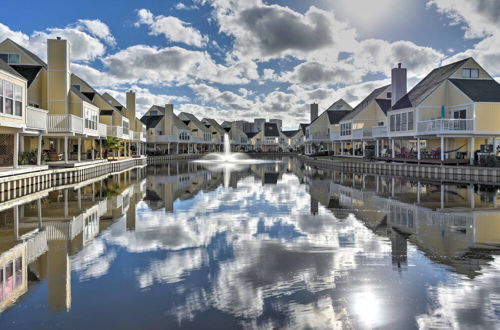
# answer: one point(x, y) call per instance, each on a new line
point(450, 116)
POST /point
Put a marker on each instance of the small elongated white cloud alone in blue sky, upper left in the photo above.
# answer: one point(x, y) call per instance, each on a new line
point(172, 28)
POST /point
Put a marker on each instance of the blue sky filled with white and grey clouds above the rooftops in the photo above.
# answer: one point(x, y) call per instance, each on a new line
point(242, 59)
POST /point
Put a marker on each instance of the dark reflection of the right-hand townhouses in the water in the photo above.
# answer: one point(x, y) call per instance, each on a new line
point(456, 225)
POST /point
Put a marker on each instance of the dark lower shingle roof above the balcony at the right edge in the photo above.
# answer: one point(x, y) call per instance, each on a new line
point(479, 90)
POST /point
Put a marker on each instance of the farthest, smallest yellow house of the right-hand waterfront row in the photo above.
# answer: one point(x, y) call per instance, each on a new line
point(325, 128)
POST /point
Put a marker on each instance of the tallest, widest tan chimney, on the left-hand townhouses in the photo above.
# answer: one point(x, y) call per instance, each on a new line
point(59, 75)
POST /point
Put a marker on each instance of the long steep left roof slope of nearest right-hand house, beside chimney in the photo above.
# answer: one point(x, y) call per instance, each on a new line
point(427, 85)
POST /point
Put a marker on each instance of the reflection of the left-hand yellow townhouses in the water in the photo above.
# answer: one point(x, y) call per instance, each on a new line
point(40, 233)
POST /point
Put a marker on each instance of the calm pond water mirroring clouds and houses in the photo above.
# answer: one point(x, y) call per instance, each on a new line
point(265, 247)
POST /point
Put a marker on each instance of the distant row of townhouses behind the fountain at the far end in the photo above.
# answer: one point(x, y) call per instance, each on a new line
point(168, 133)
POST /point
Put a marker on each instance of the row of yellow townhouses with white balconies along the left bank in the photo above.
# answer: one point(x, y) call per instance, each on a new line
point(50, 115)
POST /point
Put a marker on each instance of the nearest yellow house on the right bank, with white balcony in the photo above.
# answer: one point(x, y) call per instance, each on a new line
point(449, 116)
